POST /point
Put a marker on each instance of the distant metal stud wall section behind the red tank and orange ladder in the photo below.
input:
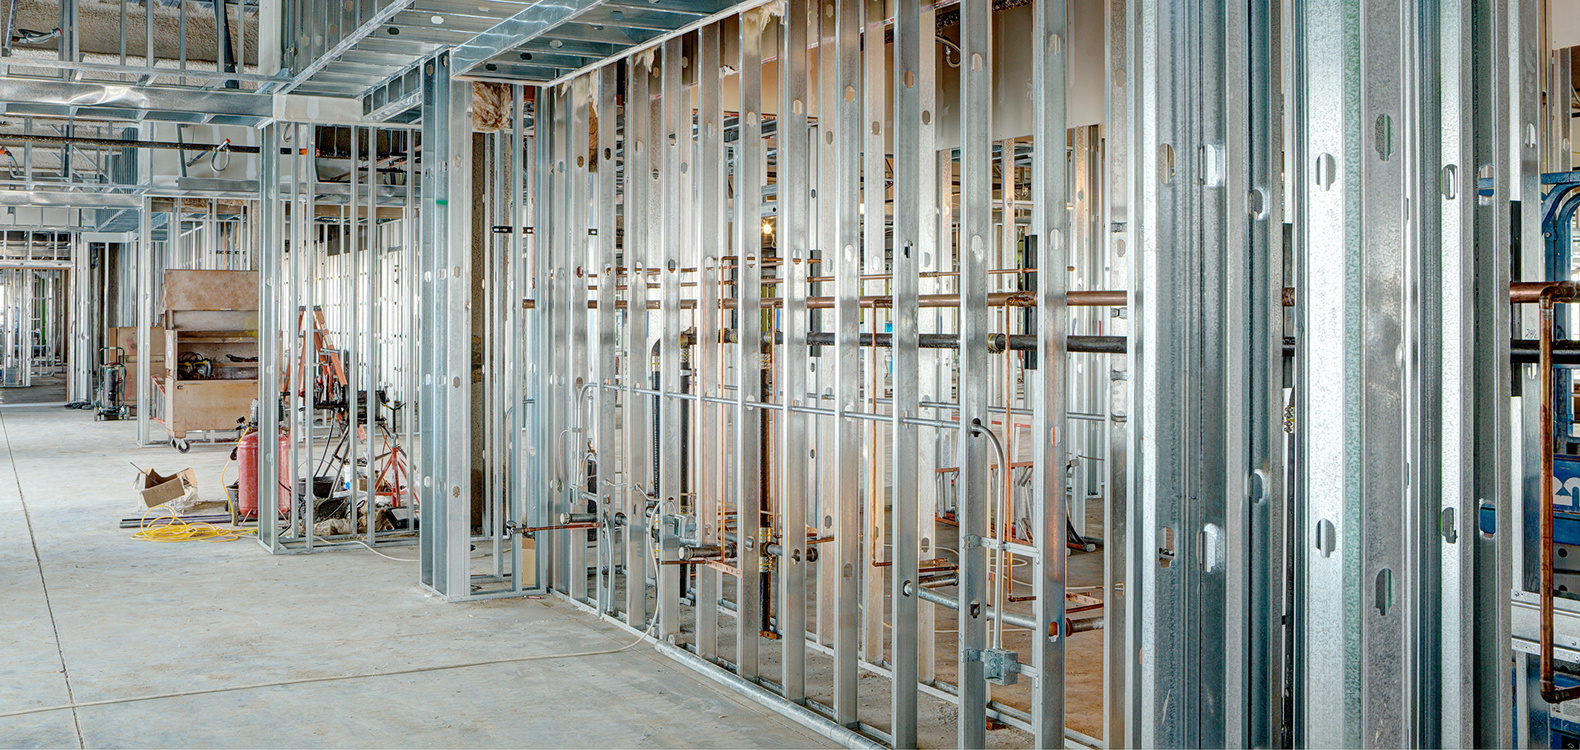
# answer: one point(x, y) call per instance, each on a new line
point(339, 264)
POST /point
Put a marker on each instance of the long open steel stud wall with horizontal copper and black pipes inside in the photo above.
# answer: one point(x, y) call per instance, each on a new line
point(777, 290)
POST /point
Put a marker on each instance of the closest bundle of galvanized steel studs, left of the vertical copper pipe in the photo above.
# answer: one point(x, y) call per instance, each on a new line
point(1402, 299)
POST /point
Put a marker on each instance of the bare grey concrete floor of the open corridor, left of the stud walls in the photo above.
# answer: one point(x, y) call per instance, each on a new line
point(96, 617)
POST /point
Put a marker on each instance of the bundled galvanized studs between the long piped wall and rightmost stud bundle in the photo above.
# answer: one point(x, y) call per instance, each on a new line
point(1206, 572)
